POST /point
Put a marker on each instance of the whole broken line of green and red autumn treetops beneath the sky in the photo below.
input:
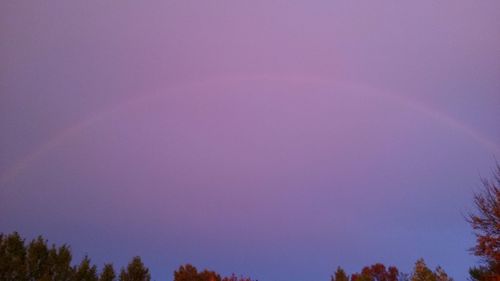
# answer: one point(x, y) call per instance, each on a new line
point(36, 261)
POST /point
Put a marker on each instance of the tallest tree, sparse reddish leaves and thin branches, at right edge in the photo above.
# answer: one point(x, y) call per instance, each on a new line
point(486, 225)
